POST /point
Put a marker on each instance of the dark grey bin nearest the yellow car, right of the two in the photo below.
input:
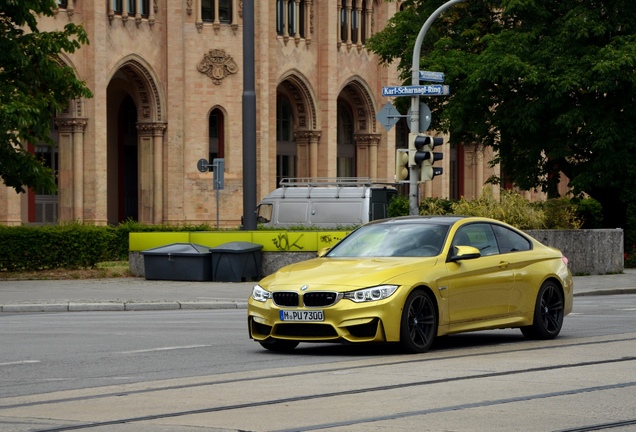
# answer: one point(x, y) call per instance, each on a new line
point(236, 262)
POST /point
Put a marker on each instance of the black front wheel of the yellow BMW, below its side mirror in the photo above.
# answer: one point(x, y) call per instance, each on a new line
point(418, 326)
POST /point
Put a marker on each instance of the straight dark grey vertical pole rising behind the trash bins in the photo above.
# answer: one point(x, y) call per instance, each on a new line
point(249, 119)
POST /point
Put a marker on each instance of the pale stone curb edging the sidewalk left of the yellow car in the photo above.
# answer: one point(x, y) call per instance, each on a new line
point(118, 306)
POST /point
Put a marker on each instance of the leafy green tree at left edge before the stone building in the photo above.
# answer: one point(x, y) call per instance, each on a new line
point(34, 85)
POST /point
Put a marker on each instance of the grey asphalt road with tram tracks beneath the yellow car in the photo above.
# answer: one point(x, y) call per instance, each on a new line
point(197, 370)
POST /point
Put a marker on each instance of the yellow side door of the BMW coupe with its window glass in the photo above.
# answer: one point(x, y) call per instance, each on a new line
point(480, 288)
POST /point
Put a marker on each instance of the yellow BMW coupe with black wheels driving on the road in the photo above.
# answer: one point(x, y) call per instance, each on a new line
point(410, 279)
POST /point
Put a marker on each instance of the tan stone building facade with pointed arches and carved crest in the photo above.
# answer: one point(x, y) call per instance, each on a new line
point(167, 80)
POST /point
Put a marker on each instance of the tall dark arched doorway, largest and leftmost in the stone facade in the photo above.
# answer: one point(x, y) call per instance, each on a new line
point(134, 153)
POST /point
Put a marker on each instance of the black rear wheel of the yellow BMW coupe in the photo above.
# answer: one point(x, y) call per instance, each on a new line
point(548, 313)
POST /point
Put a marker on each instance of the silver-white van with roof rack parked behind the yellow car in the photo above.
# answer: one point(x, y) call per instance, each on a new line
point(325, 203)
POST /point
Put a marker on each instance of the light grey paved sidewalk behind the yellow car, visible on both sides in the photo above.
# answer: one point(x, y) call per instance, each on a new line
point(128, 294)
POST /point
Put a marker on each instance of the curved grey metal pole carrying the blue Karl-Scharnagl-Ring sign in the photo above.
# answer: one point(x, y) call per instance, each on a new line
point(414, 171)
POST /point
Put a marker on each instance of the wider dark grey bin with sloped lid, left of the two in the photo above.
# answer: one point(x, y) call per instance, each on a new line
point(178, 261)
